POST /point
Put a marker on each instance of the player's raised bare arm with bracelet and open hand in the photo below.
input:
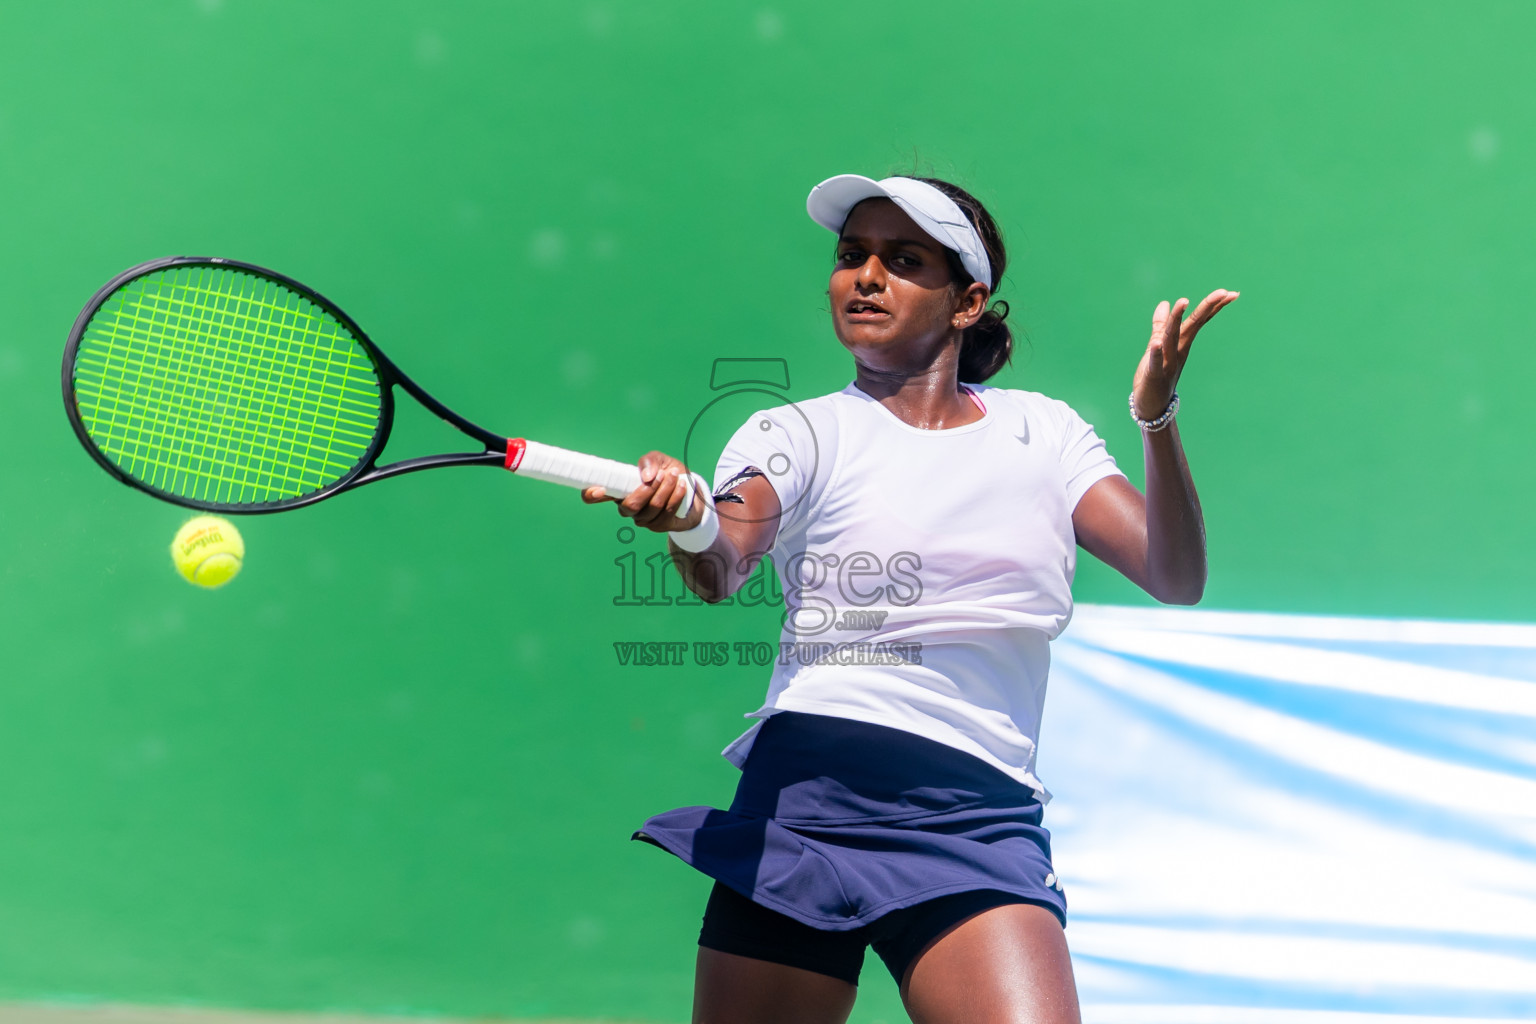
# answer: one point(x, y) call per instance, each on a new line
point(1157, 541)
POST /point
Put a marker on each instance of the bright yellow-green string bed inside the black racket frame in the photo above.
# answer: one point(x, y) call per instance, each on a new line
point(223, 386)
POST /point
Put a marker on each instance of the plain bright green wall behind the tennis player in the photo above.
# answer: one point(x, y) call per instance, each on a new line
point(394, 767)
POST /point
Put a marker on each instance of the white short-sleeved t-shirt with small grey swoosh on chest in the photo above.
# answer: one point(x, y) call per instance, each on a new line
point(925, 572)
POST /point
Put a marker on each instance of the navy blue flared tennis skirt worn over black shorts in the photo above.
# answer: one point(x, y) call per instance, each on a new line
point(838, 822)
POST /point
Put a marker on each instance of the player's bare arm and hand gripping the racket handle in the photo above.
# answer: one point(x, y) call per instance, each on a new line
point(747, 529)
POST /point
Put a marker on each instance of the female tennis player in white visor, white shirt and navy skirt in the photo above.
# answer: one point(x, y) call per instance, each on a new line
point(925, 529)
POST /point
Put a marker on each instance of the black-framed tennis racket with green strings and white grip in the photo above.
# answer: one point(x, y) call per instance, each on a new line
point(228, 388)
